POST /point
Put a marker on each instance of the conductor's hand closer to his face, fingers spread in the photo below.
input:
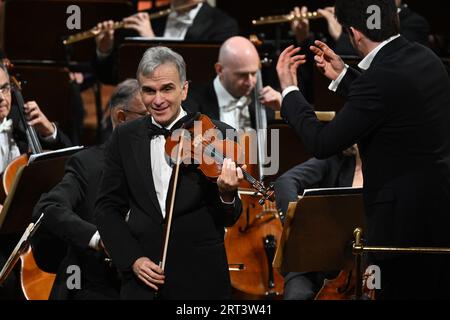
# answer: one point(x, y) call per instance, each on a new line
point(328, 62)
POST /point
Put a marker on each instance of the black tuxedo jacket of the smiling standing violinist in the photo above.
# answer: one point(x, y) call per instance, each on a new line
point(197, 265)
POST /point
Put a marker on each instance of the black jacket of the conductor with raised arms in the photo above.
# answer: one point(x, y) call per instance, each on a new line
point(398, 113)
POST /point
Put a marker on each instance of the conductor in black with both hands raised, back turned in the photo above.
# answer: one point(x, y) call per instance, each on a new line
point(397, 111)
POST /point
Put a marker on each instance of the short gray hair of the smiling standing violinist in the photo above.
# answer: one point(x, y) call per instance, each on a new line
point(156, 56)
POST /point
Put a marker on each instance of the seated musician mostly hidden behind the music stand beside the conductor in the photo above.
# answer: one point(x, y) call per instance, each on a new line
point(342, 170)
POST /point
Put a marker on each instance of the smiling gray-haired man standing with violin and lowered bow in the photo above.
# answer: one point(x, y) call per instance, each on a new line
point(137, 176)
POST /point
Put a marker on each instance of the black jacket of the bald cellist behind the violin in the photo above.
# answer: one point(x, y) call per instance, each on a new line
point(204, 98)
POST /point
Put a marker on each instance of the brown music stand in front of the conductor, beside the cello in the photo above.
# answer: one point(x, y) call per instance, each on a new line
point(318, 231)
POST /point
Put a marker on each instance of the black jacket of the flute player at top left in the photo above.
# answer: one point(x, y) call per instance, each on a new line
point(210, 25)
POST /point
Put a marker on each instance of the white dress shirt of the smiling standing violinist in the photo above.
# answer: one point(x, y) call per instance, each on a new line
point(161, 166)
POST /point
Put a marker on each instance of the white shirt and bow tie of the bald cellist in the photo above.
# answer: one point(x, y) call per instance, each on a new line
point(234, 112)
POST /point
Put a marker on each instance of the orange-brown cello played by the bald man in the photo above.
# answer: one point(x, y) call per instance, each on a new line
point(251, 243)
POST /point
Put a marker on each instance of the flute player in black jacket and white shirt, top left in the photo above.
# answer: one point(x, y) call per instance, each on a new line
point(199, 23)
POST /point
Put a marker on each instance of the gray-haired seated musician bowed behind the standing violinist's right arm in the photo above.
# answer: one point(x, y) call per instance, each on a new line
point(69, 211)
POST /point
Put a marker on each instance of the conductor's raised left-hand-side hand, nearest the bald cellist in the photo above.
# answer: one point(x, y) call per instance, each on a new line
point(287, 65)
